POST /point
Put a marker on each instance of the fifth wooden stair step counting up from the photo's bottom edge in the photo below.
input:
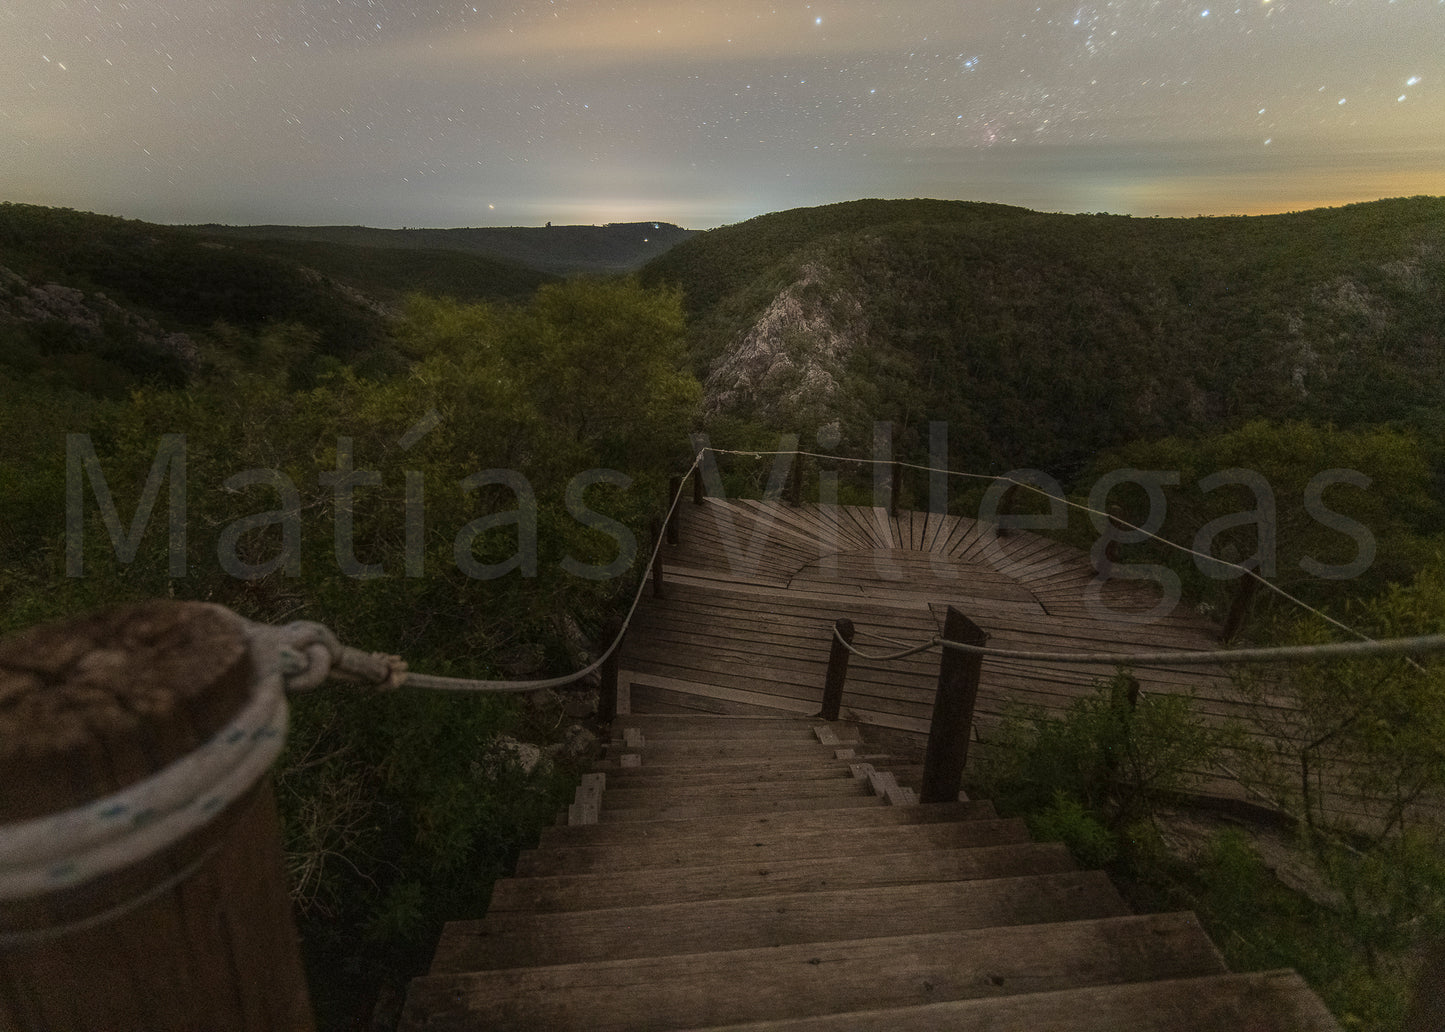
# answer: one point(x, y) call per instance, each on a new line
point(768, 849)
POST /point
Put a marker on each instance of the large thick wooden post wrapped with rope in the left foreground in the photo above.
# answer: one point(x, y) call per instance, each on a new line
point(197, 934)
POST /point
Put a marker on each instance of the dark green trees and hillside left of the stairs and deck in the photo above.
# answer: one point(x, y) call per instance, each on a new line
point(417, 482)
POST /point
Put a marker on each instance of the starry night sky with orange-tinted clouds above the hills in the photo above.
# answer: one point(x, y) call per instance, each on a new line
point(388, 113)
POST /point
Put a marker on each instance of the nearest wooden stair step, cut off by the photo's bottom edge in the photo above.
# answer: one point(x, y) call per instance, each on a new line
point(1262, 1002)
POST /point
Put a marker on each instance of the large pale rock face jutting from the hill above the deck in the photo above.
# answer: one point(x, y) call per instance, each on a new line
point(793, 358)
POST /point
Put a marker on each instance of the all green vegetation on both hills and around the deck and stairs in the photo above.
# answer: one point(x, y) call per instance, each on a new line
point(1077, 346)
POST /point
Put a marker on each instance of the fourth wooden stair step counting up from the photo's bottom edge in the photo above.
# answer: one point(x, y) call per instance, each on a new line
point(717, 881)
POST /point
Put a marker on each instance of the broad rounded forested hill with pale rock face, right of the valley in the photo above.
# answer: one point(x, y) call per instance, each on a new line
point(1043, 339)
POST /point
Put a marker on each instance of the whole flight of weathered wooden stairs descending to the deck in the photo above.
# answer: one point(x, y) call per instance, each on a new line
point(769, 874)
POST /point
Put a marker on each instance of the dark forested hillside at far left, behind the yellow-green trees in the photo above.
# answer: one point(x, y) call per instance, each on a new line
point(103, 304)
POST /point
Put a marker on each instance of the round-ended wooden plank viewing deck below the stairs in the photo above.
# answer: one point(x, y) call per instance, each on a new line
point(754, 590)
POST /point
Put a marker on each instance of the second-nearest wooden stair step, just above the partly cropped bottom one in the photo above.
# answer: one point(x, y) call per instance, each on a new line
point(813, 979)
